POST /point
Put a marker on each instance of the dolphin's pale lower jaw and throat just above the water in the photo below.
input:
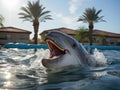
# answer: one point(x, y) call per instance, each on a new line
point(60, 62)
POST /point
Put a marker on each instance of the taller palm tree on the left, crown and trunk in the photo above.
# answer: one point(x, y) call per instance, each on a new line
point(35, 13)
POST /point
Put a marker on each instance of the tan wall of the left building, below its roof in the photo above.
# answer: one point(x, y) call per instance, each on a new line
point(14, 38)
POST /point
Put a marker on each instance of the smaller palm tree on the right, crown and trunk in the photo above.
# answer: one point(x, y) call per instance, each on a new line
point(91, 16)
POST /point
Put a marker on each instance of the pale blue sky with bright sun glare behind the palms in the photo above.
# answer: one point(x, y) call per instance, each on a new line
point(65, 13)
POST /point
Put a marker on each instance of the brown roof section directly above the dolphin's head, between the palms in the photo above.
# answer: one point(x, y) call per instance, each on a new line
point(64, 30)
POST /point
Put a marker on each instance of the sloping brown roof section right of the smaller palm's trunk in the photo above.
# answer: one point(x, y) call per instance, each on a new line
point(105, 33)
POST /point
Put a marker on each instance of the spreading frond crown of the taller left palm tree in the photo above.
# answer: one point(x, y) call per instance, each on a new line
point(34, 10)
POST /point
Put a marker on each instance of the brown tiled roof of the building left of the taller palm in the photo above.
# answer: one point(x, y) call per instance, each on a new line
point(13, 30)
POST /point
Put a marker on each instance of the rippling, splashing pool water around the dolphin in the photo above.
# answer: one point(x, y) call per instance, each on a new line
point(21, 69)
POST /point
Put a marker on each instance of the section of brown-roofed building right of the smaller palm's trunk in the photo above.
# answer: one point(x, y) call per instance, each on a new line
point(107, 38)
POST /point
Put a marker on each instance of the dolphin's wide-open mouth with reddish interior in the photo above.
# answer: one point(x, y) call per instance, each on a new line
point(55, 49)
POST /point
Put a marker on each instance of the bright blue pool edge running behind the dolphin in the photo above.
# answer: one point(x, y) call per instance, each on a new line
point(44, 46)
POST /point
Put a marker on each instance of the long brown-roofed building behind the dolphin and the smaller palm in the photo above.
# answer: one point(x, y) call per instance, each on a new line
point(99, 37)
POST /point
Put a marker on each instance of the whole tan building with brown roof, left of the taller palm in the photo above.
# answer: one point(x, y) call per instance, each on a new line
point(13, 35)
